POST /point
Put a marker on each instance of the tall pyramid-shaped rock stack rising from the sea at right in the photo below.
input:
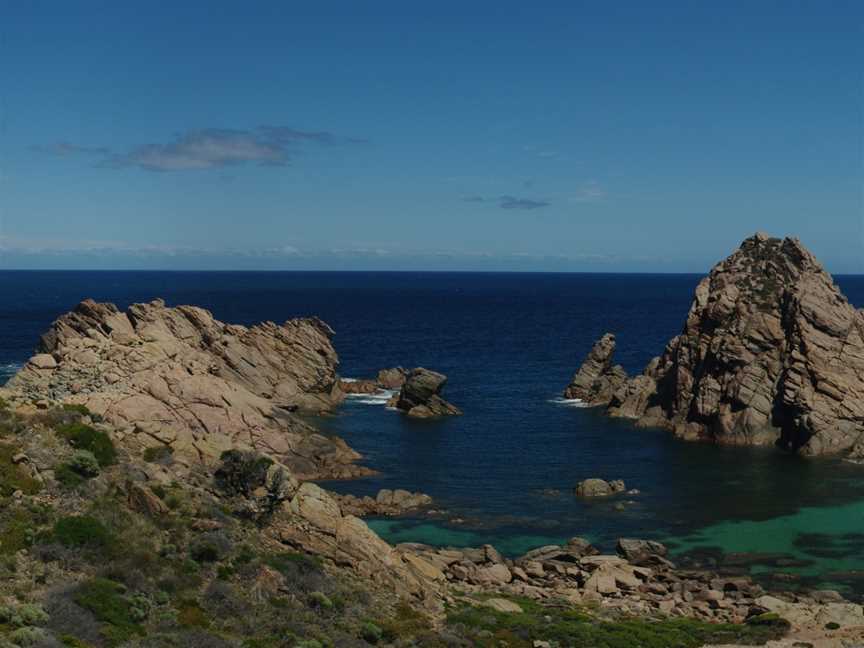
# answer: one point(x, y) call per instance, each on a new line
point(771, 352)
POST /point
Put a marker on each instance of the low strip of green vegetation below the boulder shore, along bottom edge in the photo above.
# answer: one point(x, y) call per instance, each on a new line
point(488, 628)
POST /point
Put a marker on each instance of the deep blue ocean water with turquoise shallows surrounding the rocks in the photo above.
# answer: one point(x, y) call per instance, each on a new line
point(509, 344)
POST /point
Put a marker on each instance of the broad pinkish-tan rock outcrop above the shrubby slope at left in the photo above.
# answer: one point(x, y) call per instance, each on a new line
point(179, 377)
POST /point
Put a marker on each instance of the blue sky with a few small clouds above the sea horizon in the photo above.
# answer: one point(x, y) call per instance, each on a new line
point(579, 136)
